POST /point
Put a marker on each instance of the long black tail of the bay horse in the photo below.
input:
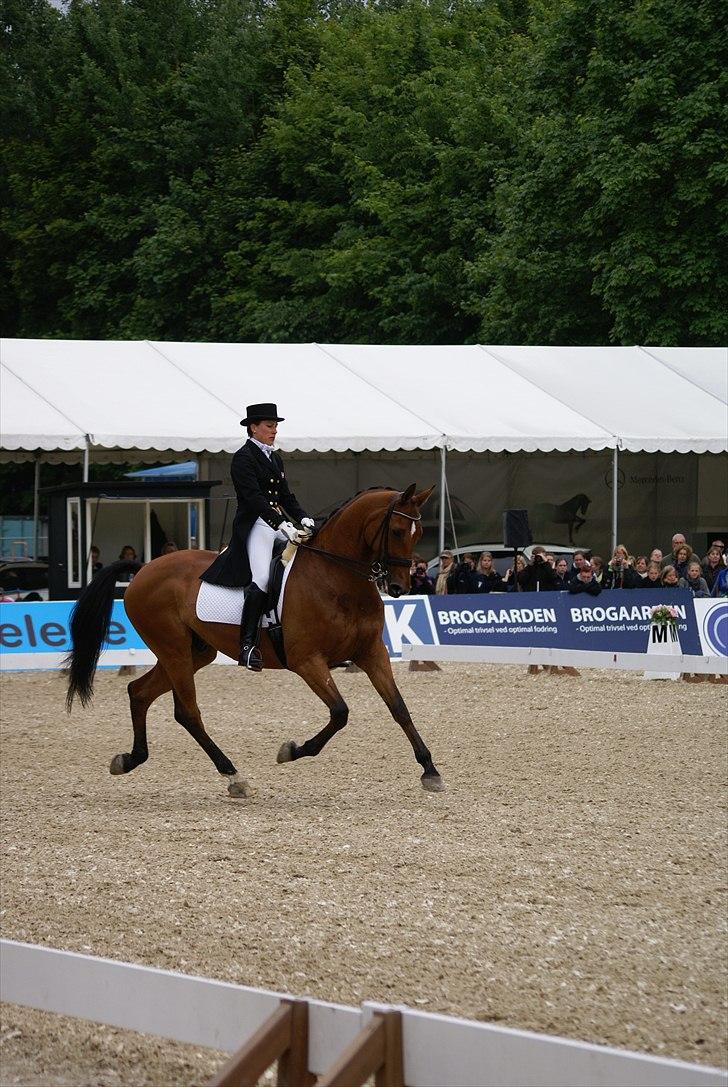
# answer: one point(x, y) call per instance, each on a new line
point(90, 629)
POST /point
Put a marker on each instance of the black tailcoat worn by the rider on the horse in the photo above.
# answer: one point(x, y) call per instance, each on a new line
point(262, 492)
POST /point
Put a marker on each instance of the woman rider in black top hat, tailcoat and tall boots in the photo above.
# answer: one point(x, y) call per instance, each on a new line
point(267, 509)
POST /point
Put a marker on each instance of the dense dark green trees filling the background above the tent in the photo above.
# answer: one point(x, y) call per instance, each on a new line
point(397, 171)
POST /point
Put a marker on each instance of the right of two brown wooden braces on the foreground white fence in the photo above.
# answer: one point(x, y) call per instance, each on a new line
point(376, 1051)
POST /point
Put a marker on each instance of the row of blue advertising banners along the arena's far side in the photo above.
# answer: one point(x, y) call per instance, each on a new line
point(36, 635)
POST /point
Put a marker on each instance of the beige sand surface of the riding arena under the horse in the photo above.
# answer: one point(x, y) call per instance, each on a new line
point(571, 880)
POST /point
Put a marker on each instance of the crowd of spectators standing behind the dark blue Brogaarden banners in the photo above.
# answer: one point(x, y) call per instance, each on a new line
point(680, 568)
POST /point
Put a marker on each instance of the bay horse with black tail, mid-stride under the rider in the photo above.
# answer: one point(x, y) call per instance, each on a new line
point(333, 613)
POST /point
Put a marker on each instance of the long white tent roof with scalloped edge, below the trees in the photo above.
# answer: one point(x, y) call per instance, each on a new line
point(192, 397)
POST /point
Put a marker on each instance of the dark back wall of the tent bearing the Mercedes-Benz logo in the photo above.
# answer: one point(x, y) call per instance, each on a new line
point(660, 494)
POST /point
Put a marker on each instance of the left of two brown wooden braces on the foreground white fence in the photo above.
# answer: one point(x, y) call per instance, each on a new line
point(283, 1038)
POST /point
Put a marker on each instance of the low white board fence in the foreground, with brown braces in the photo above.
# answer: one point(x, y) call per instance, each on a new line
point(438, 1051)
